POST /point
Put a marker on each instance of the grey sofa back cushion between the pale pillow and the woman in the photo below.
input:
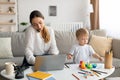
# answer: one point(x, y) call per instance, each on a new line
point(18, 44)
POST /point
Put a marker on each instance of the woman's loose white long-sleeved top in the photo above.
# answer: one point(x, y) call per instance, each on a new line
point(35, 44)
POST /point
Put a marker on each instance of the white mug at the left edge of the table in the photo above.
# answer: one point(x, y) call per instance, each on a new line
point(9, 68)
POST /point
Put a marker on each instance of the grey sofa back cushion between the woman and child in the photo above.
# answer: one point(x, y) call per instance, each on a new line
point(65, 40)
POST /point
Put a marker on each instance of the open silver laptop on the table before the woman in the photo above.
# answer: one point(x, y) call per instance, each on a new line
point(49, 62)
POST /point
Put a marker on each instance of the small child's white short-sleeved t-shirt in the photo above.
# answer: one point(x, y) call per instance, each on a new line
point(81, 53)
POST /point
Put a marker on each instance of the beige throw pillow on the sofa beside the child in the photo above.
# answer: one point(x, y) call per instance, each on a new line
point(101, 44)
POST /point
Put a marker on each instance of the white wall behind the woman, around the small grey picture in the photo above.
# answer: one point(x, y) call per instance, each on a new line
point(67, 10)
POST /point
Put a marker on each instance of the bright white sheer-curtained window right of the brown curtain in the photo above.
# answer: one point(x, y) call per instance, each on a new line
point(110, 17)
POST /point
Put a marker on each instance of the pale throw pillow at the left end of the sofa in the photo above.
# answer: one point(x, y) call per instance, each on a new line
point(5, 48)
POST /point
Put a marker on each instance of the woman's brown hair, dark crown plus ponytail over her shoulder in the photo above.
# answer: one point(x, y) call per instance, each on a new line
point(45, 33)
